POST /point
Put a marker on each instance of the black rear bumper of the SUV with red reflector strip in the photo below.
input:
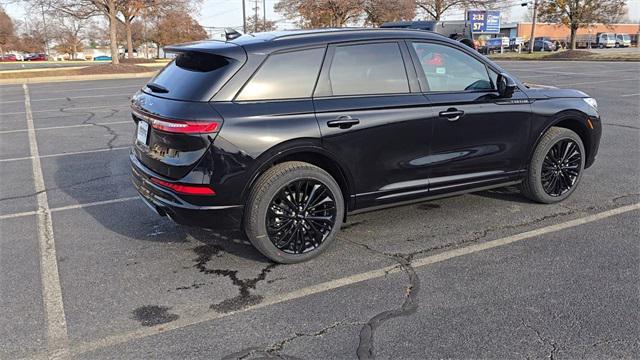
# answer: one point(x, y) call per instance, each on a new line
point(166, 203)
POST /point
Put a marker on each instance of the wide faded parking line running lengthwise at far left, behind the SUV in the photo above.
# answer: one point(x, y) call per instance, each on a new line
point(57, 336)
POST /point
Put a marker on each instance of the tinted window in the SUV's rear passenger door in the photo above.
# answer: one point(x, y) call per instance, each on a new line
point(368, 69)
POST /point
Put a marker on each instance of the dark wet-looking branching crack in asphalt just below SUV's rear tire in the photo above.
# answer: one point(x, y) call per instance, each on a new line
point(245, 297)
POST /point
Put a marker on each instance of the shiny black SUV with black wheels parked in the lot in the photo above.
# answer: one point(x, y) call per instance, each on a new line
point(284, 133)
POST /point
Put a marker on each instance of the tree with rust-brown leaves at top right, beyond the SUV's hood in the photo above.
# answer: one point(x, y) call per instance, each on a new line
point(581, 13)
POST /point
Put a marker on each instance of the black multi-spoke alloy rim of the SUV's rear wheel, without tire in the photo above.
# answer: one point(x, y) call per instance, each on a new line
point(301, 216)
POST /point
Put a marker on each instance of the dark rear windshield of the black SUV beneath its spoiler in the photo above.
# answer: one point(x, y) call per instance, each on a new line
point(193, 76)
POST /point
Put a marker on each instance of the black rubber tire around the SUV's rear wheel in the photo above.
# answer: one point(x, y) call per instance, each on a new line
point(270, 188)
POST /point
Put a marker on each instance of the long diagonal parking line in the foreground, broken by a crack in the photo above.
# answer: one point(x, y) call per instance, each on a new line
point(185, 321)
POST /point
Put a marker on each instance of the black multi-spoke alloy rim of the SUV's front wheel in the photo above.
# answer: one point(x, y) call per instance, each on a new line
point(561, 167)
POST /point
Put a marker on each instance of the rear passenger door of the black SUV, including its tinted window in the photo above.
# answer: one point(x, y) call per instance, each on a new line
point(373, 117)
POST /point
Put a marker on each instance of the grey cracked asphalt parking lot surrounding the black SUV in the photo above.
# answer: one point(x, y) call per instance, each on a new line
point(87, 271)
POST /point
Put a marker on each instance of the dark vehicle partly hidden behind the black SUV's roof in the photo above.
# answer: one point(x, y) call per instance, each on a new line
point(459, 30)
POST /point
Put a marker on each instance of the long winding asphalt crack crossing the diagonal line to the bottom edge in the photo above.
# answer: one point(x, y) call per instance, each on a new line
point(366, 348)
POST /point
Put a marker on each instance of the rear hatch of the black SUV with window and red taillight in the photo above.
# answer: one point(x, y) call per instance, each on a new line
point(178, 122)
